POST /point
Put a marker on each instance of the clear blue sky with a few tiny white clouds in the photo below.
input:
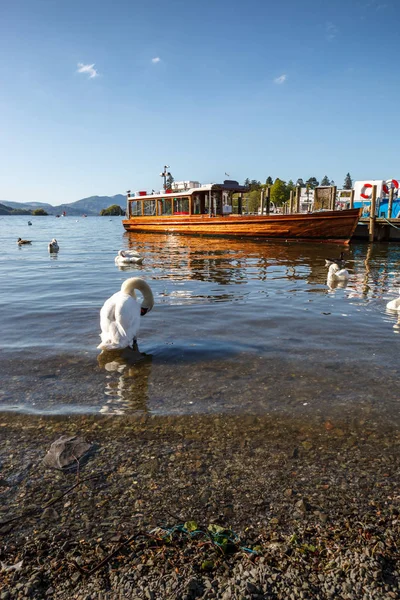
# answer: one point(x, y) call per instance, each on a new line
point(294, 88)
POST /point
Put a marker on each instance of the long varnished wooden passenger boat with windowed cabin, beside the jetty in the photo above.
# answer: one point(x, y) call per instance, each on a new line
point(208, 210)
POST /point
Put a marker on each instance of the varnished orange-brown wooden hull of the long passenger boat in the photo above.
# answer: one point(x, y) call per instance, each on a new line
point(335, 226)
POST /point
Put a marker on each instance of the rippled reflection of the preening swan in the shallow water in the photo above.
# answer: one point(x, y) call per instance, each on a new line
point(126, 387)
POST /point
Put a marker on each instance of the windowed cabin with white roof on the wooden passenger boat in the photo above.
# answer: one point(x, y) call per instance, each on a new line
point(214, 199)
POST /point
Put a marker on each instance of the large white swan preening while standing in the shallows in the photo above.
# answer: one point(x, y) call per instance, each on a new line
point(120, 315)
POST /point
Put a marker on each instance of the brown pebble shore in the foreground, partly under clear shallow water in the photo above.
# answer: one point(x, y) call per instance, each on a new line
point(317, 502)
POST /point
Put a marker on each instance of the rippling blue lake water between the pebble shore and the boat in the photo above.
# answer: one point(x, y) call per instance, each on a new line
point(237, 326)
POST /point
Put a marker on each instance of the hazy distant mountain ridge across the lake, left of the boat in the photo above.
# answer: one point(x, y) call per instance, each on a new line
point(89, 206)
